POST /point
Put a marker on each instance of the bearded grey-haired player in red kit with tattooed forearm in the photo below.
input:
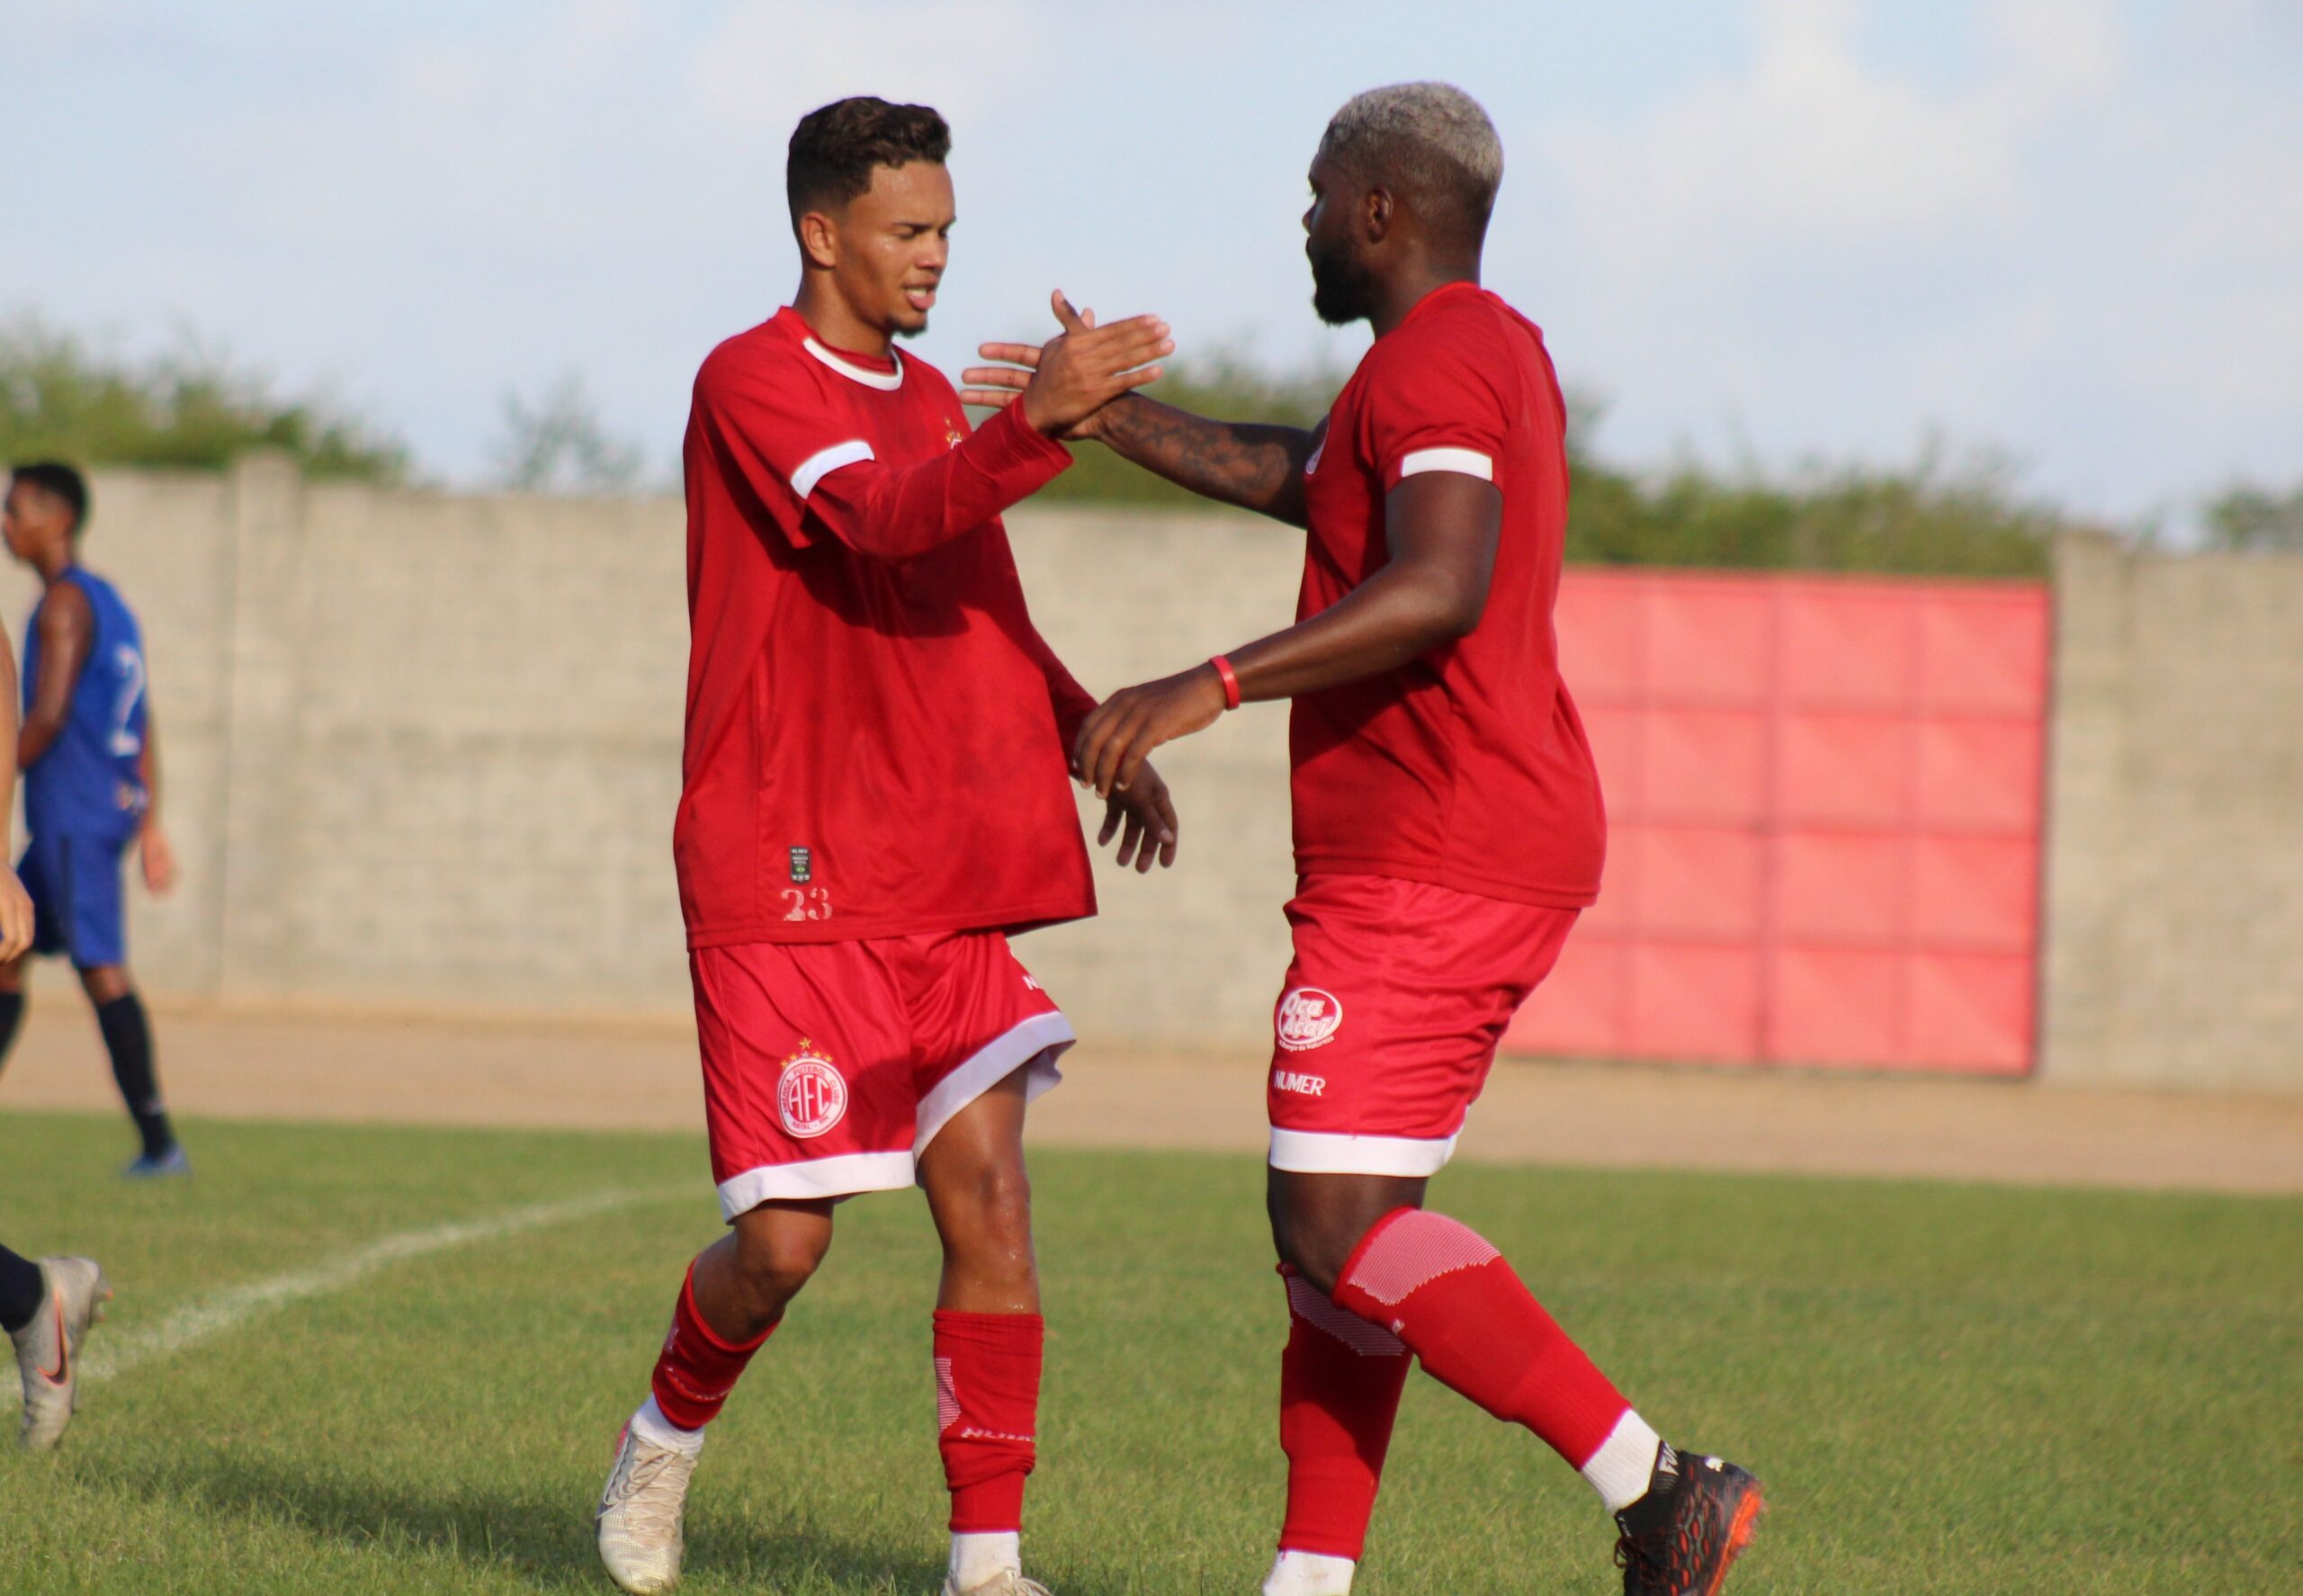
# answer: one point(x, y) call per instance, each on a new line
point(1447, 826)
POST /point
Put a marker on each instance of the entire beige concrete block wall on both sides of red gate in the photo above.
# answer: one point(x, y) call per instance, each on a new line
point(423, 752)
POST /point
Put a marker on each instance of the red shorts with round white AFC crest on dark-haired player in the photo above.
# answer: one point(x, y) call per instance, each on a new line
point(833, 1065)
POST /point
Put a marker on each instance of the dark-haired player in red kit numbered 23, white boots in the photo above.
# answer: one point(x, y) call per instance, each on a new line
point(874, 793)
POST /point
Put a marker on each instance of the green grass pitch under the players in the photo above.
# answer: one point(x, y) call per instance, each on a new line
point(1947, 1388)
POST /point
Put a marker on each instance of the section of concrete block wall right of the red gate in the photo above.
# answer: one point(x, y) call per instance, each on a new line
point(2175, 844)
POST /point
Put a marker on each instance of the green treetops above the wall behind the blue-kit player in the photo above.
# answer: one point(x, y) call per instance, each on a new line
point(195, 411)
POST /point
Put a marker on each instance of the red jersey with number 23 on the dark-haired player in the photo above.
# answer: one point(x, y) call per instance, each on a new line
point(876, 736)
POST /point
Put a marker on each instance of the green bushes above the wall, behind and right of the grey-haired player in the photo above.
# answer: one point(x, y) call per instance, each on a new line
point(1933, 517)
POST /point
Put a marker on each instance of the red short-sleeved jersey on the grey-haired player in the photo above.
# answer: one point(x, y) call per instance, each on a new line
point(1466, 768)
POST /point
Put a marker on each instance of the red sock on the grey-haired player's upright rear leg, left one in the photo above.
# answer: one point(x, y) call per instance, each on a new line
point(1339, 1392)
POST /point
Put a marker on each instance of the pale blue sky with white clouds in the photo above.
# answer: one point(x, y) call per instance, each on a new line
point(1791, 229)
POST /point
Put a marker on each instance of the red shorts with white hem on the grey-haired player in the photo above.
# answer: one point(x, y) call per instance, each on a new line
point(1394, 1005)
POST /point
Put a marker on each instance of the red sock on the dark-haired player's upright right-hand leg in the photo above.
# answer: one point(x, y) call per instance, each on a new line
point(987, 1411)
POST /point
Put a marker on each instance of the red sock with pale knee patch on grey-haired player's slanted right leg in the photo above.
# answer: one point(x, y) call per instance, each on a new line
point(1466, 1316)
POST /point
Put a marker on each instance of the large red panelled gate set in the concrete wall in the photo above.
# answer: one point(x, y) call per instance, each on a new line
point(1825, 821)
